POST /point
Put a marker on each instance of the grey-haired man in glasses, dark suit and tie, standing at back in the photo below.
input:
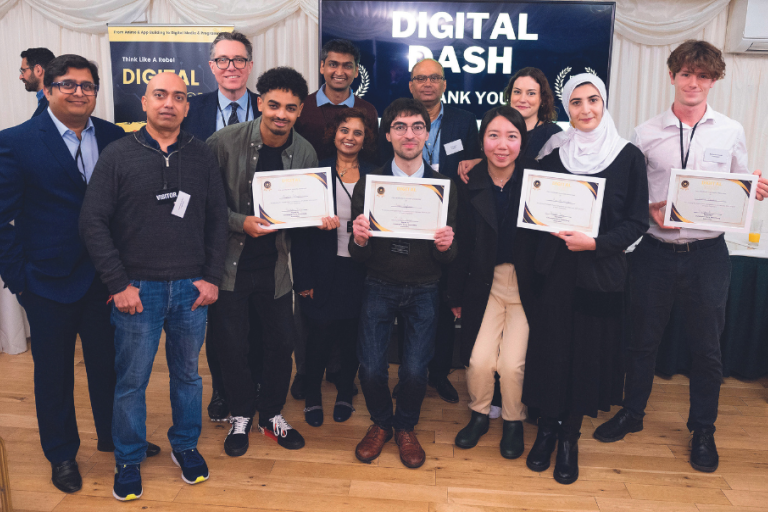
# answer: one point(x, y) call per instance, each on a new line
point(231, 63)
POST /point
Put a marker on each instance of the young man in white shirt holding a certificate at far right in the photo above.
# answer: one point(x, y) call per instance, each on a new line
point(690, 268)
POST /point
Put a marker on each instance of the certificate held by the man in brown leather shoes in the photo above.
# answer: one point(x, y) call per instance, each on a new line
point(406, 207)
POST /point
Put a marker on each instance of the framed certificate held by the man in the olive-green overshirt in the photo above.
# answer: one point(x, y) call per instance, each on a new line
point(294, 198)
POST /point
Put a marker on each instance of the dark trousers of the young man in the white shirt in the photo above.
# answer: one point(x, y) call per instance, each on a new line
point(698, 282)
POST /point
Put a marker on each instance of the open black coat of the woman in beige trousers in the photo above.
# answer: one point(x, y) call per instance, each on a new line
point(470, 276)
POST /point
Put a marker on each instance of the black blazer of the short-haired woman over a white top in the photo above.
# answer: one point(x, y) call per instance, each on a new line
point(313, 250)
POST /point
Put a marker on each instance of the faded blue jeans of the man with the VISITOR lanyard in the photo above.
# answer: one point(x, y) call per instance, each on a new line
point(167, 305)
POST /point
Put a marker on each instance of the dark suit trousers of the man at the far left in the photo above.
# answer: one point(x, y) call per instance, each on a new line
point(54, 328)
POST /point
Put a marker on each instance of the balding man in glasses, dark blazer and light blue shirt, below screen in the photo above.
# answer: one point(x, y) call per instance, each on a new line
point(452, 138)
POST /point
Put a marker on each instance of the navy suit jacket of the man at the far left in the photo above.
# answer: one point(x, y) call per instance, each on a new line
point(42, 190)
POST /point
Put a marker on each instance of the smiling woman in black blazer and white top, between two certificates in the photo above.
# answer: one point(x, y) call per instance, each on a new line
point(329, 282)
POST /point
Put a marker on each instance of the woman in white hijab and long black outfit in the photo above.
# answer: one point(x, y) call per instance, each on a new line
point(573, 364)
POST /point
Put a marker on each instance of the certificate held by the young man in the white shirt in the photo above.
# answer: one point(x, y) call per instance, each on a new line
point(714, 201)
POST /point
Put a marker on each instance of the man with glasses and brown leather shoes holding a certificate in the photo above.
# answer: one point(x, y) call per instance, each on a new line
point(402, 278)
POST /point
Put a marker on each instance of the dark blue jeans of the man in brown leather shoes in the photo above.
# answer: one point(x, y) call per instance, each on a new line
point(417, 306)
